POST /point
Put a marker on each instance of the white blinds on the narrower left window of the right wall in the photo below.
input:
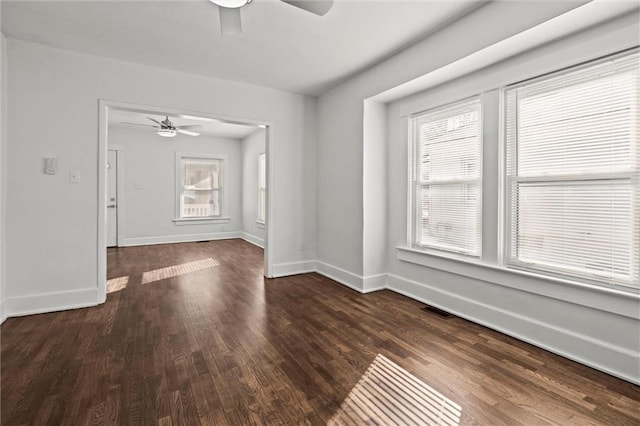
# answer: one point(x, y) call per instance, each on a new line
point(447, 148)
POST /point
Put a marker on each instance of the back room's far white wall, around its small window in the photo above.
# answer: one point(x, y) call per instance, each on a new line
point(148, 199)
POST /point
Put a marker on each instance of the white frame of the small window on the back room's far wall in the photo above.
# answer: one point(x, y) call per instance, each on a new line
point(223, 191)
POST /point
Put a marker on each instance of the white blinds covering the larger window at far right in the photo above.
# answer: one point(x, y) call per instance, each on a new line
point(573, 158)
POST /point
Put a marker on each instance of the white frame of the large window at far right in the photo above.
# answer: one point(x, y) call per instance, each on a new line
point(507, 181)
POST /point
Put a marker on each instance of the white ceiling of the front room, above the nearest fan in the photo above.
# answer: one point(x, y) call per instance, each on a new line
point(281, 47)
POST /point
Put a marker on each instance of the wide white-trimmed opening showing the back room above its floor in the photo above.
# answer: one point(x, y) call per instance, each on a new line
point(168, 176)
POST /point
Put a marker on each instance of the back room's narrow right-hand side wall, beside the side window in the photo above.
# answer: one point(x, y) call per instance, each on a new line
point(252, 146)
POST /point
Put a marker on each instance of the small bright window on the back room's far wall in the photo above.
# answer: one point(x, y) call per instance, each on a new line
point(200, 184)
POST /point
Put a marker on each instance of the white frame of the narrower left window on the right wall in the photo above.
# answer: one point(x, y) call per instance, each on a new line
point(415, 184)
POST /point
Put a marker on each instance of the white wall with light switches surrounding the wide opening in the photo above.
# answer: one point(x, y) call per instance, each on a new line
point(53, 111)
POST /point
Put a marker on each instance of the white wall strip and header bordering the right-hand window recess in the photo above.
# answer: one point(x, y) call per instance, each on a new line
point(340, 144)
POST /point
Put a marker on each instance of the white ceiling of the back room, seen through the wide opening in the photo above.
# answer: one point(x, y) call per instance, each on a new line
point(208, 126)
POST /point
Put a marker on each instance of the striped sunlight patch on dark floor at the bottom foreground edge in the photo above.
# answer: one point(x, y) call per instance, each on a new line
point(387, 394)
